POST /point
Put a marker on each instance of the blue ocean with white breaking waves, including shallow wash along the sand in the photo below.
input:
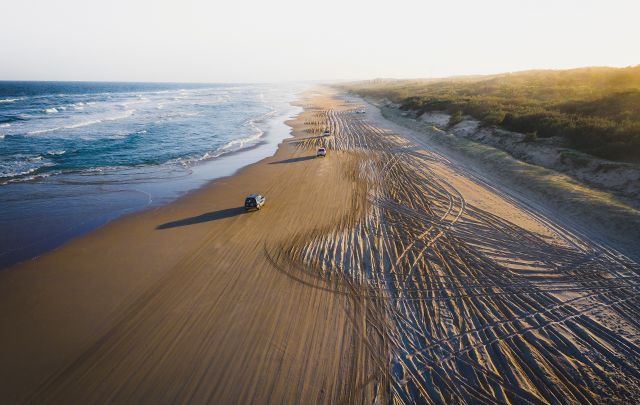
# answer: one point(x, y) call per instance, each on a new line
point(75, 155)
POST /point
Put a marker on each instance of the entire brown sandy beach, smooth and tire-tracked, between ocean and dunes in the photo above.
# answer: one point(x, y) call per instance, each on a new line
point(386, 271)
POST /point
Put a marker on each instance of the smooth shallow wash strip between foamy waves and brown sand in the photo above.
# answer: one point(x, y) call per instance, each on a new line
point(91, 214)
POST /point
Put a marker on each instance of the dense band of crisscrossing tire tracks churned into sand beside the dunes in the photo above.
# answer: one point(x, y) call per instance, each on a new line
point(467, 300)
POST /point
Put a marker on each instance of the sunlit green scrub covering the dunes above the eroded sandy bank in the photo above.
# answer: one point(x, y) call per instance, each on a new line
point(596, 110)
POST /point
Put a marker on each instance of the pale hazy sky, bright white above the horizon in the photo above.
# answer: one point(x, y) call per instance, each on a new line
point(284, 40)
